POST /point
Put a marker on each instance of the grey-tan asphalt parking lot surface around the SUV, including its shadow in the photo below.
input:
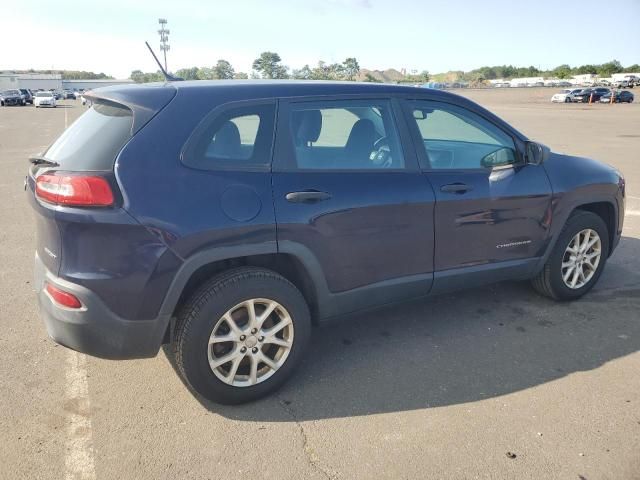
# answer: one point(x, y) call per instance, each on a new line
point(491, 383)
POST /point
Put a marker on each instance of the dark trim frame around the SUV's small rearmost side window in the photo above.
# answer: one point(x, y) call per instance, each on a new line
point(211, 117)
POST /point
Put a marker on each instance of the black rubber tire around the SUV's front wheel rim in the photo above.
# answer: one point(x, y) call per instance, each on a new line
point(549, 281)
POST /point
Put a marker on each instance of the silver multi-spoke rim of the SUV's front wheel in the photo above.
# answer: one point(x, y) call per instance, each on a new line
point(581, 258)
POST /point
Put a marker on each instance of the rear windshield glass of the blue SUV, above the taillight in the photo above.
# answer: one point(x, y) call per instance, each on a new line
point(94, 140)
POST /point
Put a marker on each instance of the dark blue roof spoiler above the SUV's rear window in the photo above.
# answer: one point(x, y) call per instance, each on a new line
point(145, 101)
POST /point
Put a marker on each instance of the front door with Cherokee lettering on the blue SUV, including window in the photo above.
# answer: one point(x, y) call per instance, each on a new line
point(492, 209)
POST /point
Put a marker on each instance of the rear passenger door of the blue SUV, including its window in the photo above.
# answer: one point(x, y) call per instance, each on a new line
point(351, 203)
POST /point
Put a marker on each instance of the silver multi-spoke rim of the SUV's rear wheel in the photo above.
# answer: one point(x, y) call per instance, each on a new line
point(250, 342)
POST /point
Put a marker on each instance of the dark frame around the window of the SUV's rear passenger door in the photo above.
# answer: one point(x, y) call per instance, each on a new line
point(284, 154)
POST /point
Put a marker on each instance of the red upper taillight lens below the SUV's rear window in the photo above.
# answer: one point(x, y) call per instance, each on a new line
point(74, 190)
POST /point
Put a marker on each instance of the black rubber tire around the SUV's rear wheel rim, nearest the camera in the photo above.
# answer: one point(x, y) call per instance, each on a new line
point(202, 311)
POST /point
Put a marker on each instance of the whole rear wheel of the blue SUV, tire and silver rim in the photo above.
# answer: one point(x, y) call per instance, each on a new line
point(241, 335)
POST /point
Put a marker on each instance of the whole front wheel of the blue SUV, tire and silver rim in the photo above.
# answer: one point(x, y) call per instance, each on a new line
point(577, 260)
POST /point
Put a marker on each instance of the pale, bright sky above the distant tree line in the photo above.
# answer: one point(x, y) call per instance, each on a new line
point(437, 36)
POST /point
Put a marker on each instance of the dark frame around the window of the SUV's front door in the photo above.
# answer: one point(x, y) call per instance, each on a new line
point(421, 151)
